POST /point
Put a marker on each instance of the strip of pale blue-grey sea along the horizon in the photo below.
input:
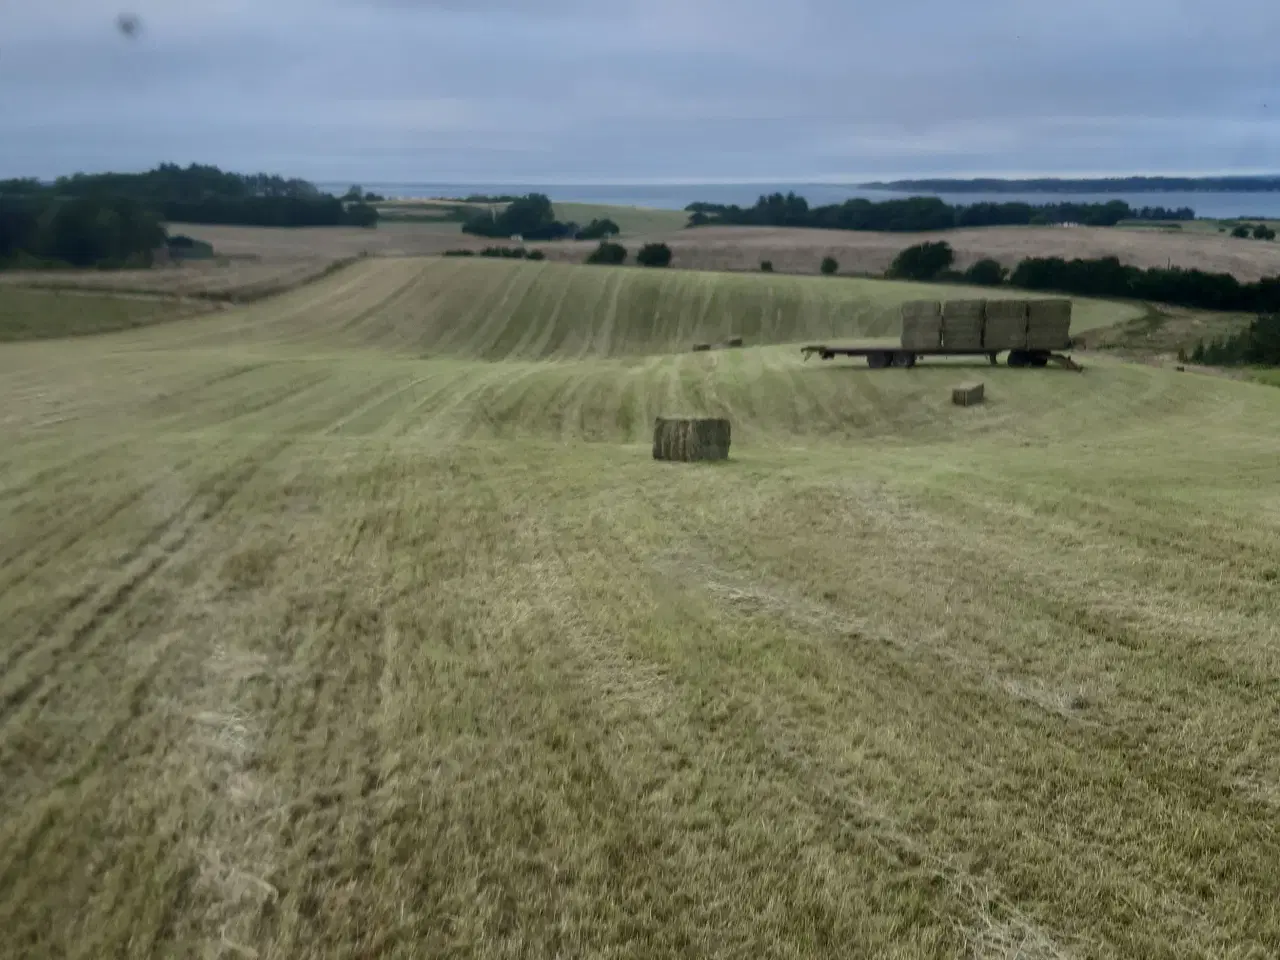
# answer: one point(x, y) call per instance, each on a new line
point(678, 196)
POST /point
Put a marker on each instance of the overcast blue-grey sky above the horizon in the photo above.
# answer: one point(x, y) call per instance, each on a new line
point(642, 90)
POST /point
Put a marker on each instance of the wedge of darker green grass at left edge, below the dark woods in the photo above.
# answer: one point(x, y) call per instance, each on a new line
point(36, 314)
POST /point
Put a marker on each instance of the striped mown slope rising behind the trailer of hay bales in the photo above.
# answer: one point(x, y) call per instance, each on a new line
point(504, 310)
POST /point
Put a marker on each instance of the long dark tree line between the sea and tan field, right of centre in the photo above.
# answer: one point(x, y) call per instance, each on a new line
point(918, 214)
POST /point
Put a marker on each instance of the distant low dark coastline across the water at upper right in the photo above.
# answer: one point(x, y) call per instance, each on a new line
point(1268, 184)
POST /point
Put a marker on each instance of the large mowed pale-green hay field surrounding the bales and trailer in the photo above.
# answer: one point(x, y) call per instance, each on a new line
point(360, 623)
